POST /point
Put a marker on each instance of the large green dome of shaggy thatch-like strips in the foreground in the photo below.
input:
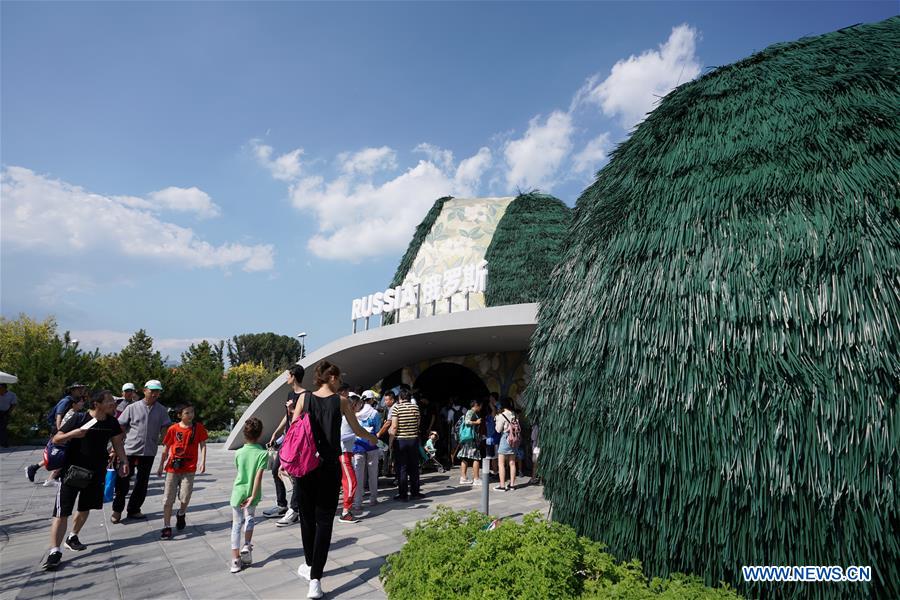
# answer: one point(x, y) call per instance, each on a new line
point(716, 377)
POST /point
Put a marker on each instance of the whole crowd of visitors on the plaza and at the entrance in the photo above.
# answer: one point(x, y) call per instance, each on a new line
point(354, 437)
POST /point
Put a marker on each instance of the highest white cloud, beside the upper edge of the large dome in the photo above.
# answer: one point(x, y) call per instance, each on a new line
point(637, 83)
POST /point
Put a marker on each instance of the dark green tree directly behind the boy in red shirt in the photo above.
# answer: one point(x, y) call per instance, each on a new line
point(201, 380)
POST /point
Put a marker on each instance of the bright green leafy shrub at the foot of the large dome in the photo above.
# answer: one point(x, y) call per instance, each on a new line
point(450, 555)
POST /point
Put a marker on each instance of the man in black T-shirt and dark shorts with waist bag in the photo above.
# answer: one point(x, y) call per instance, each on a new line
point(86, 436)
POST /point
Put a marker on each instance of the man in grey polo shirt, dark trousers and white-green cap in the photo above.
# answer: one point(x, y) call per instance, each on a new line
point(143, 422)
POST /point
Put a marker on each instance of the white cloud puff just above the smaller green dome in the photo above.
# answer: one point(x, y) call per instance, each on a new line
point(534, 159)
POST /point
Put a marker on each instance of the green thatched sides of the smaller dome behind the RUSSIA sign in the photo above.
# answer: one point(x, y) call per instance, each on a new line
point(525, 247)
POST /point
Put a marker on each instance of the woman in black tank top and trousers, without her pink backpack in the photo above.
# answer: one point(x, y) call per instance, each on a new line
point(319, 488)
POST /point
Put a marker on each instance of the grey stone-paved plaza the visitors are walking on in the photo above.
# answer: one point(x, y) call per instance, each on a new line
point(129, 560)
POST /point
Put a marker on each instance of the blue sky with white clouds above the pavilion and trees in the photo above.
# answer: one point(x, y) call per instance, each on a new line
point(207, 169)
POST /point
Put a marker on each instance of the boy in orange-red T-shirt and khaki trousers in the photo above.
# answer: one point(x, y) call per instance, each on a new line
point(183, 441)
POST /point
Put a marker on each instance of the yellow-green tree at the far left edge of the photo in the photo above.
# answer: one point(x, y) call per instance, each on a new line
point(45, 364)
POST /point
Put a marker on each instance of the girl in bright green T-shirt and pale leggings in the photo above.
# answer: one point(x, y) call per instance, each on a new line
point(251, 461)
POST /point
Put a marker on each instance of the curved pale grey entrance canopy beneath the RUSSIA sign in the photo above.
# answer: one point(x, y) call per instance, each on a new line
point(367, 356)
